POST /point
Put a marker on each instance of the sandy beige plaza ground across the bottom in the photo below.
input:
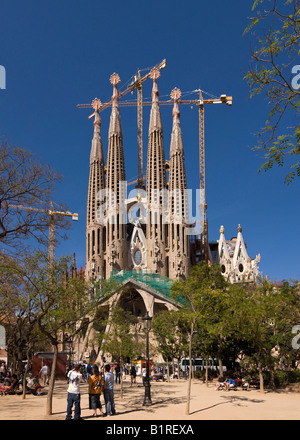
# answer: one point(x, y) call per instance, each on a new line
point(168, 403)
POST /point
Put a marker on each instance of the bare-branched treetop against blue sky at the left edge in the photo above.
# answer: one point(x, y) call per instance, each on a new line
point(26, 188)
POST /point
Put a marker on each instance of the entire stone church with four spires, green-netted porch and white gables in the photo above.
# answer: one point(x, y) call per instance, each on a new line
point(143, 240)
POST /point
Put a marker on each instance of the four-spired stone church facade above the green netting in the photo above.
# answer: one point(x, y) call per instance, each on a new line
point(146, 232)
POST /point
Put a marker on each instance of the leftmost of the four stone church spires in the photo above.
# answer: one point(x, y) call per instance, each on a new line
point(94, 230)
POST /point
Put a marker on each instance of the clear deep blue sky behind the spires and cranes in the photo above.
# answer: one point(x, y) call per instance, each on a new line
point(61, 53)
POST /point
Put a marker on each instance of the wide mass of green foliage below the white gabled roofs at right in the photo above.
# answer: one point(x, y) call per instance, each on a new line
point(226, 321)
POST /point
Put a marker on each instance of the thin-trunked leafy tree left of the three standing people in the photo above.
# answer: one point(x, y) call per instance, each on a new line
point(52, 308)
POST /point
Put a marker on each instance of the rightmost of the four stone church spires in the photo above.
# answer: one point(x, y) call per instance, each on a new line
point(179, 243)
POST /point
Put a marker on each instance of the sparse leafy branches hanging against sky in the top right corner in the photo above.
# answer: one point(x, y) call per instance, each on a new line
point(276, 27)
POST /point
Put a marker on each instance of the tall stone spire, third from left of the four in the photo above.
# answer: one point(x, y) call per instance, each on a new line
point(156, 187)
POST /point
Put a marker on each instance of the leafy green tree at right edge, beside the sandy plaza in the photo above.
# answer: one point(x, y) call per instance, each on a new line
point(263, 315)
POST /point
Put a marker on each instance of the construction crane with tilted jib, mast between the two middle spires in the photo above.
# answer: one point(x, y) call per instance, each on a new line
point(136, 83)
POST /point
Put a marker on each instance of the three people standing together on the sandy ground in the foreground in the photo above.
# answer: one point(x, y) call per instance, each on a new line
point(98, 383)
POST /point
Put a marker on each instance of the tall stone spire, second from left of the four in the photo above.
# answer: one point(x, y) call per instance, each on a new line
point(116, 243)
